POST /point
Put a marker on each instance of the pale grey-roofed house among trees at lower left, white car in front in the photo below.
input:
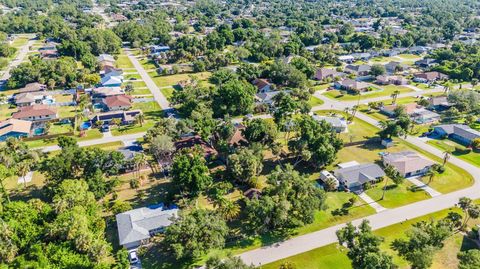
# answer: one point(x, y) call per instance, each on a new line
point(138, 225)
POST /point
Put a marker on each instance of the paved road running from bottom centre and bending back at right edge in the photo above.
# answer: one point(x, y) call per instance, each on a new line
point(382, 219)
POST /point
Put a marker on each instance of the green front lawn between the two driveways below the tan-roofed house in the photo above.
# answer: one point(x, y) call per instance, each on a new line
point(396, 196)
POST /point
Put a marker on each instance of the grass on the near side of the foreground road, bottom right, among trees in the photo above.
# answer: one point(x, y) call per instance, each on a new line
point(334, 256)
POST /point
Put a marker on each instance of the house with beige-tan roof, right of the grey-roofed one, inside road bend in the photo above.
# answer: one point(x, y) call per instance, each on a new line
point(408, 163)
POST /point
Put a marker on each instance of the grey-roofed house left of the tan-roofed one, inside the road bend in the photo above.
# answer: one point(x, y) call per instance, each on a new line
point(354, 177)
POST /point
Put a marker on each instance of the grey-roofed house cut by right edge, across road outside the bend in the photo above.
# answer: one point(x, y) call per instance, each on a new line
point(463, 134)
